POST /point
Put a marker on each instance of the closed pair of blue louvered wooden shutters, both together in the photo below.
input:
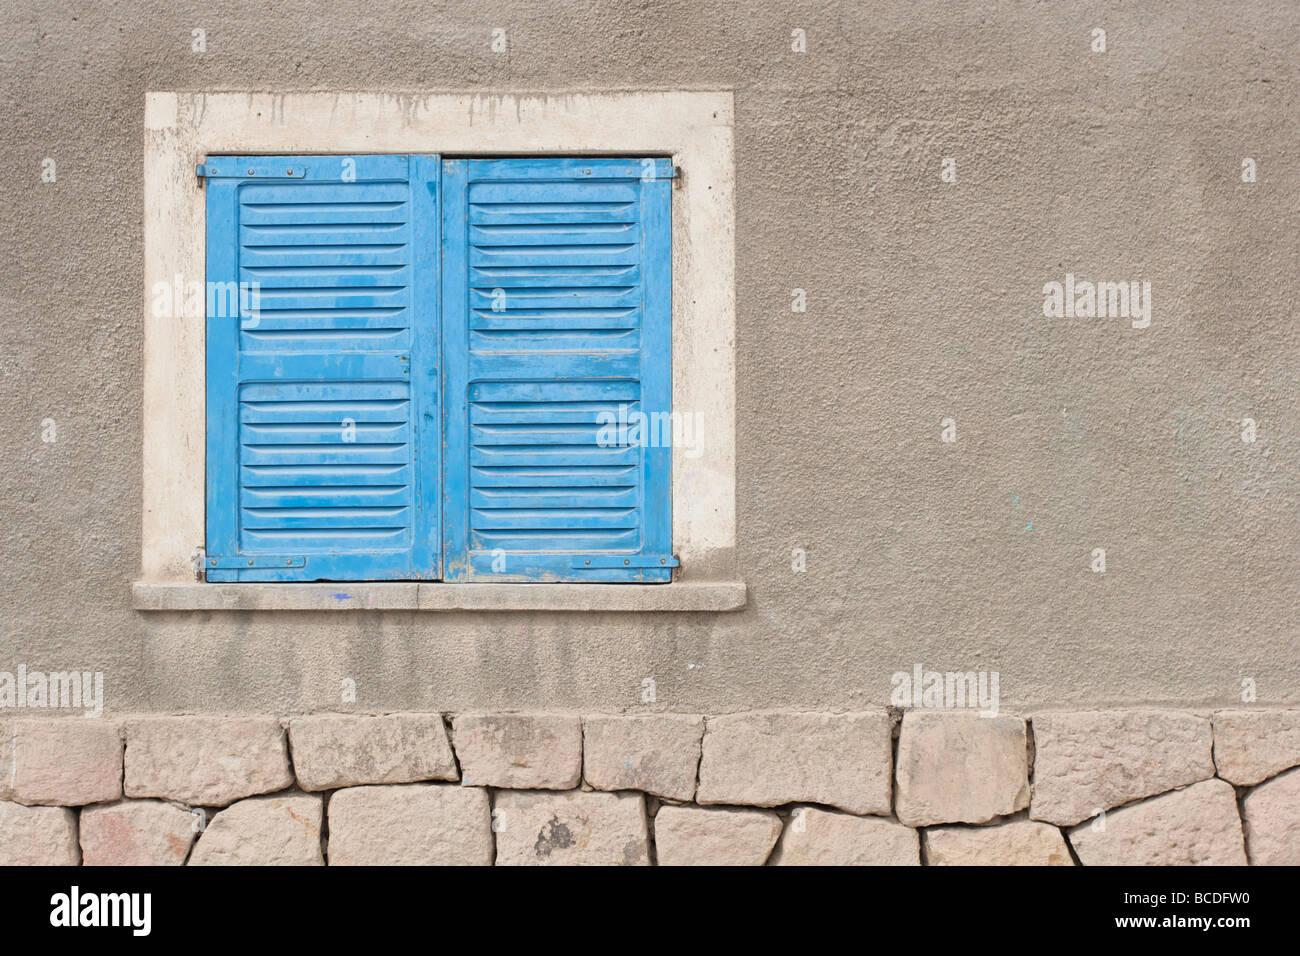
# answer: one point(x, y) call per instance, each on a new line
point(427, 369)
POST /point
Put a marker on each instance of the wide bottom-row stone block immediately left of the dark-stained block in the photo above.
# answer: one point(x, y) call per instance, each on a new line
point(410, 825)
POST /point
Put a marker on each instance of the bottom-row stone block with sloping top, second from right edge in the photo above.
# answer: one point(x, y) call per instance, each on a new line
point(1194, 827)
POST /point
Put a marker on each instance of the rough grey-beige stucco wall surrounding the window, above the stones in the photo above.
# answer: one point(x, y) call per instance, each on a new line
point(924, 302)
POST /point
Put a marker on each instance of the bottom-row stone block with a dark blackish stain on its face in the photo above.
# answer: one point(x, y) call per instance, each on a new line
point(574, 829)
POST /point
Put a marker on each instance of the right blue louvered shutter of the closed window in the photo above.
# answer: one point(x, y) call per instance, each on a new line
point(557, 305)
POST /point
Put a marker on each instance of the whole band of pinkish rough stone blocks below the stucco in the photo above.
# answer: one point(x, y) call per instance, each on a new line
point(766, 788)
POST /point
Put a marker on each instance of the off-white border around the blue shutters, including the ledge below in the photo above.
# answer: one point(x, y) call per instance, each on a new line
point(695, 128)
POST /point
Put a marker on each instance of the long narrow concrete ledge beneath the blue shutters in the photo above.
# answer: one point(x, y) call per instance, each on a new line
point(410, 596)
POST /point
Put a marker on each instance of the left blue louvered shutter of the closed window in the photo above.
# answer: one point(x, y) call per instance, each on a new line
point(323, 453)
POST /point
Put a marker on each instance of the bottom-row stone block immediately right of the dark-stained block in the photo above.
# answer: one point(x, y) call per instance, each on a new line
point(701, 837)
